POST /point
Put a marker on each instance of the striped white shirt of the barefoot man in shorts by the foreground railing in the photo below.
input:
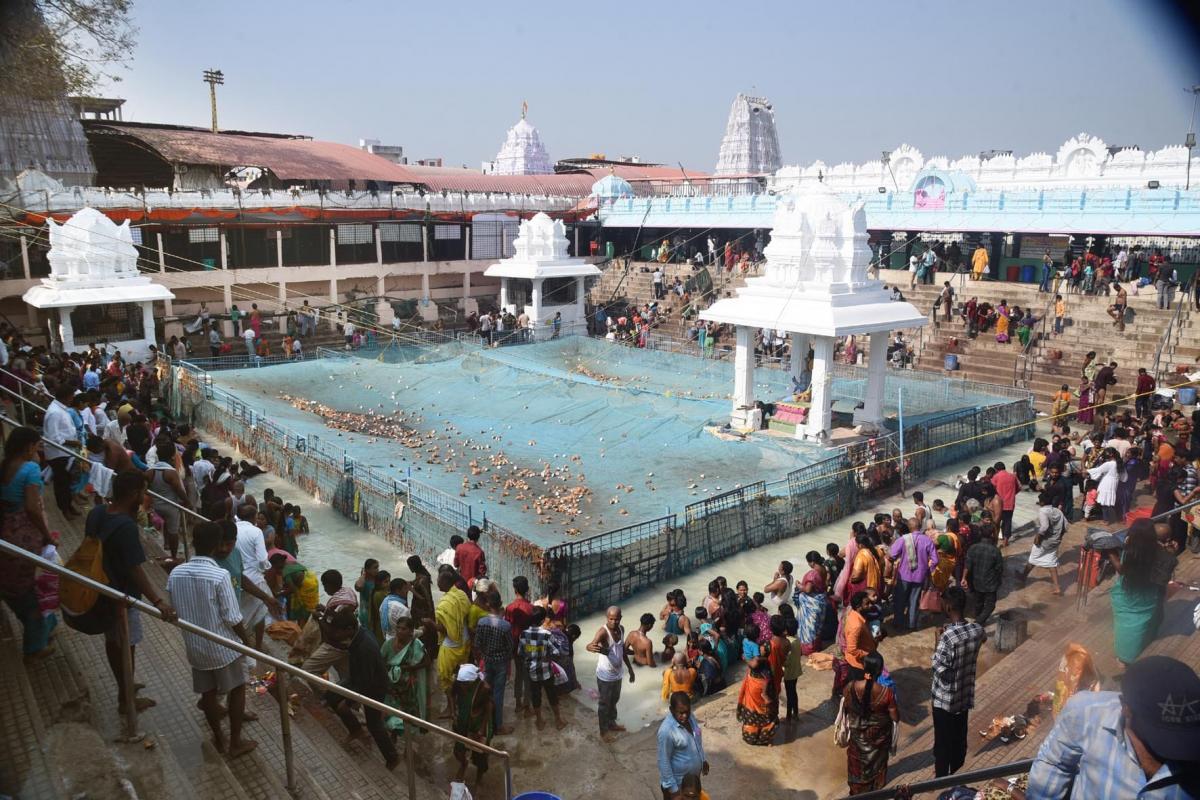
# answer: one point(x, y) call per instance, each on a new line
point(203, 596)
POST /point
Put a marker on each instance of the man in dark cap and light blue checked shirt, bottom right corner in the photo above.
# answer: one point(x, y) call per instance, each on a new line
point(1141, 743)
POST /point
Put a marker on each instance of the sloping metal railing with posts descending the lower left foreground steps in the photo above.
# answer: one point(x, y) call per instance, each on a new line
point(283, 670)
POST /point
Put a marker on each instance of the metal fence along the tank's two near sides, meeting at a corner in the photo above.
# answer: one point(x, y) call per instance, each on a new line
point(603, 570)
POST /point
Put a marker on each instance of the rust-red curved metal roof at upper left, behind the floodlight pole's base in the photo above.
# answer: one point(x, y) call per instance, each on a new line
point(289, 159)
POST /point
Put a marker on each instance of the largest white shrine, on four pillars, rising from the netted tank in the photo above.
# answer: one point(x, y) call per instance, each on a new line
point(817, 288)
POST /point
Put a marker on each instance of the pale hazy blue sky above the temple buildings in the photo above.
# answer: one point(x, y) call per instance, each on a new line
point(656, 79)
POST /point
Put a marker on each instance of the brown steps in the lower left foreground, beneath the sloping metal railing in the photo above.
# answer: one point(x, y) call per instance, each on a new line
point(61, 723)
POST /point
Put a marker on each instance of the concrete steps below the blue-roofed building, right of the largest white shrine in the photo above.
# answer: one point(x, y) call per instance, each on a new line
point(1057, 359)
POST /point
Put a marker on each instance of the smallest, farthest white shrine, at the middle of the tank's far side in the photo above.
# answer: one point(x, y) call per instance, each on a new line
point(542, 279)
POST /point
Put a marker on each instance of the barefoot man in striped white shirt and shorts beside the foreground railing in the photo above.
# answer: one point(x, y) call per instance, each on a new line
point(203, 596)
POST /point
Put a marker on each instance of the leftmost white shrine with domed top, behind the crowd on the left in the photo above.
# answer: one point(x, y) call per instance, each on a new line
point(95, 292)
